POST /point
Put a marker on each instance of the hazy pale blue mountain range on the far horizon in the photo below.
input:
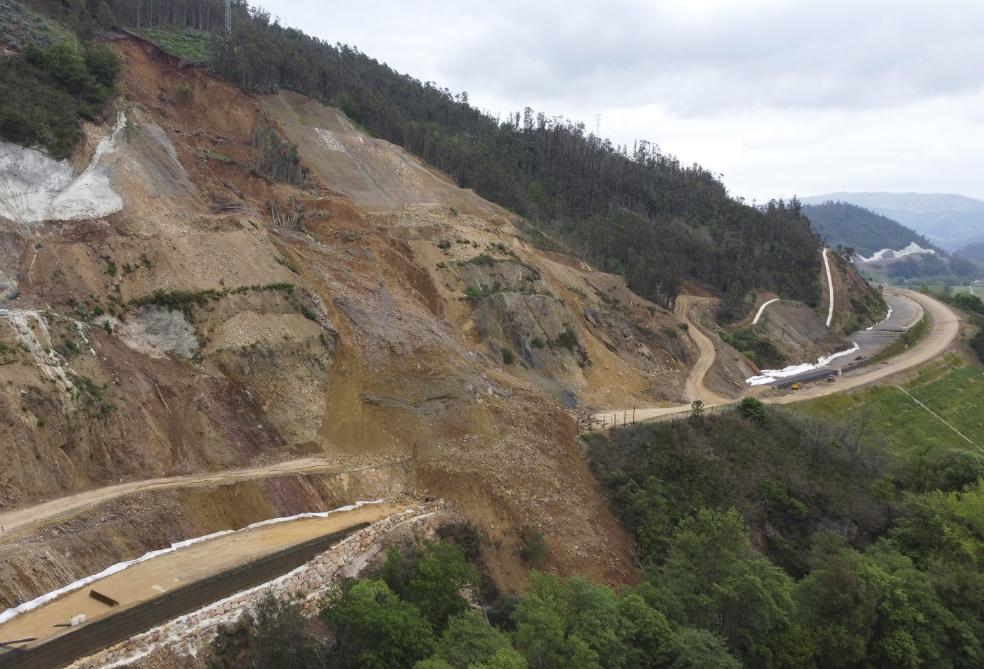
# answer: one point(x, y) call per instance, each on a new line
point(949, 221)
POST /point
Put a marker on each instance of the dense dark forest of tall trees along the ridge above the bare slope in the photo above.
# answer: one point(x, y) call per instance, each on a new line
point(634, 211)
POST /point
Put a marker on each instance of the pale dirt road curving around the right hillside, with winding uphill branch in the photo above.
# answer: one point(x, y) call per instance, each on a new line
point(944, 329)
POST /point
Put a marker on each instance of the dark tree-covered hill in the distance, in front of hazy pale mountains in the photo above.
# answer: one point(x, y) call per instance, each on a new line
point(845, 224)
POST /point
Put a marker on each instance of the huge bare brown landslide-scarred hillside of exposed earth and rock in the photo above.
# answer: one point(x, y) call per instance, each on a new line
point(368, 311)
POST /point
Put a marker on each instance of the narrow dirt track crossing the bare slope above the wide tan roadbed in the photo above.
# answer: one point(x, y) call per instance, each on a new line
point(62, 507)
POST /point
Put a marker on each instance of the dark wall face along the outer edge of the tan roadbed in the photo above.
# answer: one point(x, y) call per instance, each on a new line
point(104, 632)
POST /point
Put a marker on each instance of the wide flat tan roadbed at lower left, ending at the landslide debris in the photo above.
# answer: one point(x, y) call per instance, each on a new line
point(148, 580)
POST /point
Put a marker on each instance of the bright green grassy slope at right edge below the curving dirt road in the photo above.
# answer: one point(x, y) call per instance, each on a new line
point(950, 387)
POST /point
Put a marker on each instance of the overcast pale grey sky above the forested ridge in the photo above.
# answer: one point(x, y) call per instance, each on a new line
point(783, 97)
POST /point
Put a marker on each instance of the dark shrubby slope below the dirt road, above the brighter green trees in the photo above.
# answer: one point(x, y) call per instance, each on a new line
point(790, 479)
